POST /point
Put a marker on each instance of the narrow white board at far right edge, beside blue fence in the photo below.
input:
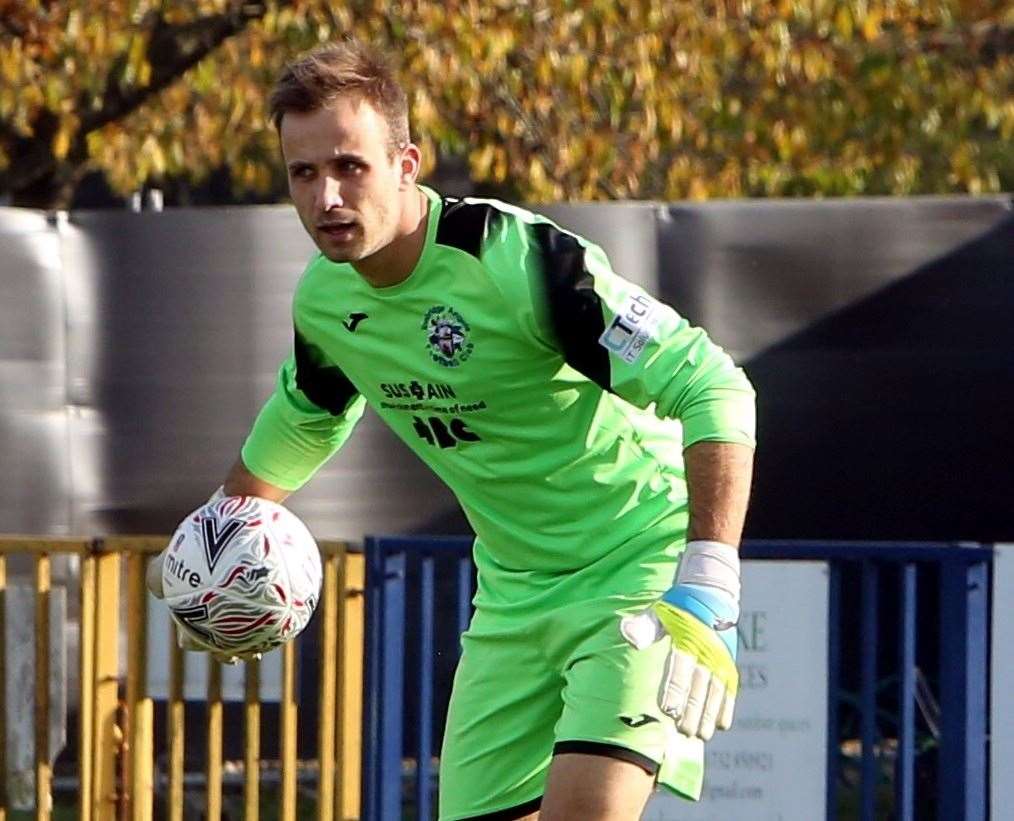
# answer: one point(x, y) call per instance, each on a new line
point(1002, 698)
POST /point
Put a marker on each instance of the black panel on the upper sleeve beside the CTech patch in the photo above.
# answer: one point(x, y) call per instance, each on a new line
point(575, 309)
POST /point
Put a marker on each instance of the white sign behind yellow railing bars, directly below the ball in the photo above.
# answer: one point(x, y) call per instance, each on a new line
point(196, 666)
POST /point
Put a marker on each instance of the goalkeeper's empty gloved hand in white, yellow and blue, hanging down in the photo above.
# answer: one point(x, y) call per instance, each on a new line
point(699, 614)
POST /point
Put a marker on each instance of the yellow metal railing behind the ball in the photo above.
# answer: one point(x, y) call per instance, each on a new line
point(116, 774)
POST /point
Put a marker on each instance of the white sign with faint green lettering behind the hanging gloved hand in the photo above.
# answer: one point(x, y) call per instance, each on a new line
point(772, 766)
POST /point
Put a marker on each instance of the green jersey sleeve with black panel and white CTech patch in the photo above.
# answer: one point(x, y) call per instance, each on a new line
point(620, 337)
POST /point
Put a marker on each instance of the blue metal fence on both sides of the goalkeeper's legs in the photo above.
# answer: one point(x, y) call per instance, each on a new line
point(404, 591)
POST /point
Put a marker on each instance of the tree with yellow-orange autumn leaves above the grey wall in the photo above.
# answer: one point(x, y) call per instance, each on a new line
point(557, 100)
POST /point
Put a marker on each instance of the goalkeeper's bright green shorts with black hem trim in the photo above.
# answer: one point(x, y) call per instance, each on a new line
point(561, 678)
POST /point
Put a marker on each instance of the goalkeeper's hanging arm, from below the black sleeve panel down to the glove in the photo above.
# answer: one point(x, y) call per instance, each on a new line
point(658, 359)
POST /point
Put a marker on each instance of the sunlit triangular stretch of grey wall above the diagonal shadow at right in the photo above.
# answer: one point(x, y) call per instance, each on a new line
point(756, 272)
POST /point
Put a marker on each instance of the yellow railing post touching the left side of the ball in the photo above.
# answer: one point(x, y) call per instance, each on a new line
point(139, 777)
